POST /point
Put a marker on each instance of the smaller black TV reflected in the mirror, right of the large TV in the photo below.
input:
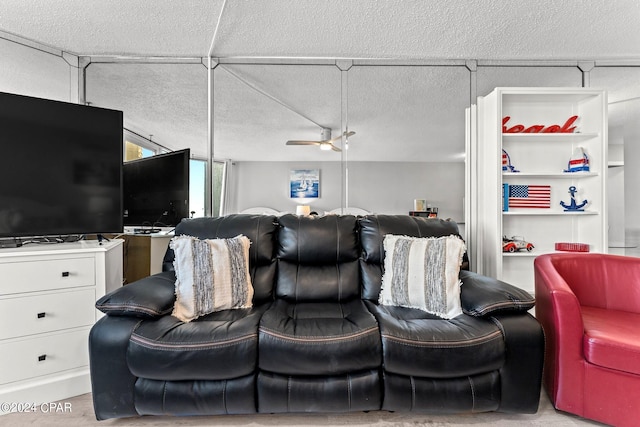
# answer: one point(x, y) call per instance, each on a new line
point(156, 190)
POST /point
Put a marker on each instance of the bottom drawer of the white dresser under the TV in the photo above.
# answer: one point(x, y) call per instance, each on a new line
point(43, 355)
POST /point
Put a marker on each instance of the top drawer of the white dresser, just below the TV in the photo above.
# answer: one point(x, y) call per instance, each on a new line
point(39, 275)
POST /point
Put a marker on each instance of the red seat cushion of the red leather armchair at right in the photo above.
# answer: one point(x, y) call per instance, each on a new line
point(612, 338)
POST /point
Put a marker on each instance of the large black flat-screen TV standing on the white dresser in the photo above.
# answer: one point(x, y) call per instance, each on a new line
point(60, 169)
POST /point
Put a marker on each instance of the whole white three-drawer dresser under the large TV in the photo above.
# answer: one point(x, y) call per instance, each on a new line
point(47, 297)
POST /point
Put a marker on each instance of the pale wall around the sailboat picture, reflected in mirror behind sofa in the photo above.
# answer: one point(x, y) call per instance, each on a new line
point(379, 187)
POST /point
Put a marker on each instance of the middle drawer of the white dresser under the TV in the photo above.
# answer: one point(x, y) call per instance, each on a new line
point(28, 315)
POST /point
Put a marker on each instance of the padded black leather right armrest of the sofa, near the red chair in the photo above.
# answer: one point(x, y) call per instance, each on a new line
point(481, 295)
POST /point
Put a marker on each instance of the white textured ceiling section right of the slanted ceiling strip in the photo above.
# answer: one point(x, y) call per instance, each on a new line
point(483, 29)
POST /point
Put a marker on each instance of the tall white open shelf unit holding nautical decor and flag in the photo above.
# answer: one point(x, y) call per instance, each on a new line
point(540, 159)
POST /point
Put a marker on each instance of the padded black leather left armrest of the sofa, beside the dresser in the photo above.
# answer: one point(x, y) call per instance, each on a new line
point(147, 298)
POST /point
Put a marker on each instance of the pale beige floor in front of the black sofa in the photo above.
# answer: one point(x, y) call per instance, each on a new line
point(78, 411)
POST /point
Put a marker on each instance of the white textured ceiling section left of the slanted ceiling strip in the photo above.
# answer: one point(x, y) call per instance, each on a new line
point(115, 27)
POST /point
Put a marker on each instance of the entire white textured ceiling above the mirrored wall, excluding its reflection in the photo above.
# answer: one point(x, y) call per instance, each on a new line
point(475, 29)
